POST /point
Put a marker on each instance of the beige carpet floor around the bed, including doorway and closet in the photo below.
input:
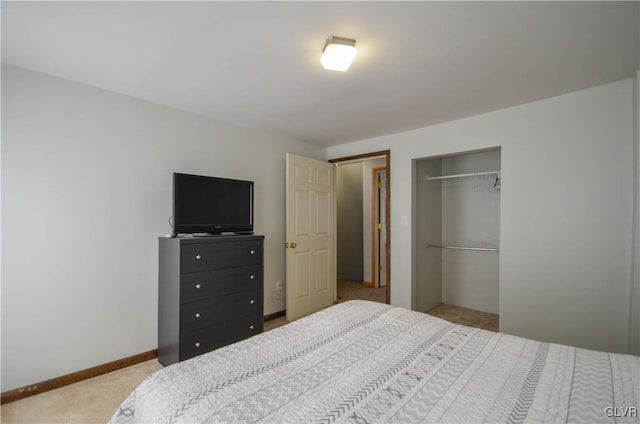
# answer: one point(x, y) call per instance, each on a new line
point(95, 400)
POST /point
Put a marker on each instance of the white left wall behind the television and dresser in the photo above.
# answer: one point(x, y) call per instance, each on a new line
point(86, 191)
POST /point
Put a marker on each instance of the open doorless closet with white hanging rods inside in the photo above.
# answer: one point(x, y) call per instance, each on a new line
point(456, 240)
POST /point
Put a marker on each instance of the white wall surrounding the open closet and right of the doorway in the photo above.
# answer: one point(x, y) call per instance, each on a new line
point(566, 210)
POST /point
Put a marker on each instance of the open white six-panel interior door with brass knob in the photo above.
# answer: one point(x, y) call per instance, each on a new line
point(310, 257)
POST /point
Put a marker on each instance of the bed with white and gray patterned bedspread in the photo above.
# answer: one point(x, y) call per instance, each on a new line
point(364, 362)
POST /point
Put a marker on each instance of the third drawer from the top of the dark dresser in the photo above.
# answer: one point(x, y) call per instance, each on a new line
point(223, 309)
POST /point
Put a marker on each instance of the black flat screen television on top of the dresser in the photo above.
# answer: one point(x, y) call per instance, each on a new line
point(211, 205)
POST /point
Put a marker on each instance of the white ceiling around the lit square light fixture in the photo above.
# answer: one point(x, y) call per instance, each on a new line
point(256, 64)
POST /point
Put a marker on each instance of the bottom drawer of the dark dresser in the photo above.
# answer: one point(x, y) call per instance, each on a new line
point(197, 342)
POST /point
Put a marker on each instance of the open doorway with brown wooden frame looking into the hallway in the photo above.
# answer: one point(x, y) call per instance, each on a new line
point(363, 227)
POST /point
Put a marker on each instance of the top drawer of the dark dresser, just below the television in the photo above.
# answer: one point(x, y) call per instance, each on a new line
point(197, 257)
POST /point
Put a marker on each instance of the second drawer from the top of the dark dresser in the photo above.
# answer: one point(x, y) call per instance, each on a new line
point(204, 285)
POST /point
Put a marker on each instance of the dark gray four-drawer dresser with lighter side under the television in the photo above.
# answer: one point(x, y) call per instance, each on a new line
point(210, 294)
